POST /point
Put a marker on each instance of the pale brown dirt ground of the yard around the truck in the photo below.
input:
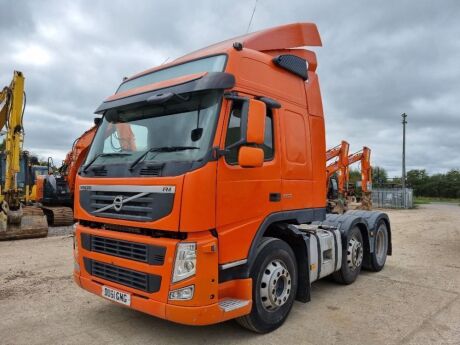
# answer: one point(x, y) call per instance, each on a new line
point(414, 300)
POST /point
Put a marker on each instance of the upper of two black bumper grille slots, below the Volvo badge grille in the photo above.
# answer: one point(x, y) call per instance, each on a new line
point(153, 255)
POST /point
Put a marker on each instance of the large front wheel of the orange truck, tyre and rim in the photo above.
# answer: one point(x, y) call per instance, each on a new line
point(274, 269)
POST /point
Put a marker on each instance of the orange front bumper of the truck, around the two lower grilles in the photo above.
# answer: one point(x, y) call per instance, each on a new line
point(203, 309)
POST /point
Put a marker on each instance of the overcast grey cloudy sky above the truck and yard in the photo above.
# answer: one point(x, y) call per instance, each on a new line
point(378, 60)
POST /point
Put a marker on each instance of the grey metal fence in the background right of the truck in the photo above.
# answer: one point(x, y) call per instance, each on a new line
point(392, 197)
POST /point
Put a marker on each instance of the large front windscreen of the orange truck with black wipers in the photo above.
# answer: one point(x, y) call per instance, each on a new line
point(179, 130)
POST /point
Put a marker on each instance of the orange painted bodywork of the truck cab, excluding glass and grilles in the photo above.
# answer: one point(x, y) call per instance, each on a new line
point(229, 199)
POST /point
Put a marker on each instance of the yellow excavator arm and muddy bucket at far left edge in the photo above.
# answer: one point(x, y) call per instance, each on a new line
point(17, 221)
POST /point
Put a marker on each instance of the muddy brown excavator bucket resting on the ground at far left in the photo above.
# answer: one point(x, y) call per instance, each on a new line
point(32, 224)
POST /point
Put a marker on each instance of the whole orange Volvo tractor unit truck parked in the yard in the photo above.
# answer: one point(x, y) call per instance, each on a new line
point(202, 197)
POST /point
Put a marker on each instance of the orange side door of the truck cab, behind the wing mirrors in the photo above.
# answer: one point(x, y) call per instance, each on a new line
point(245, 196)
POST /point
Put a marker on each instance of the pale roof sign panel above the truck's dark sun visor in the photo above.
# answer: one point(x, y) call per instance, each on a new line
point(208, 64)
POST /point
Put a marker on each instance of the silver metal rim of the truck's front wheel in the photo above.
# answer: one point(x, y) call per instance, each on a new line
point(275, 286)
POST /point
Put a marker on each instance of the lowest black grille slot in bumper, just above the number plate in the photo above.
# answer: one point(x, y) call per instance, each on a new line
point(124, 276)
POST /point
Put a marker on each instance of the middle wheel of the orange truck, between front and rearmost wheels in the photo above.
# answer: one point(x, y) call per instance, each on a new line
point(352, 258)
